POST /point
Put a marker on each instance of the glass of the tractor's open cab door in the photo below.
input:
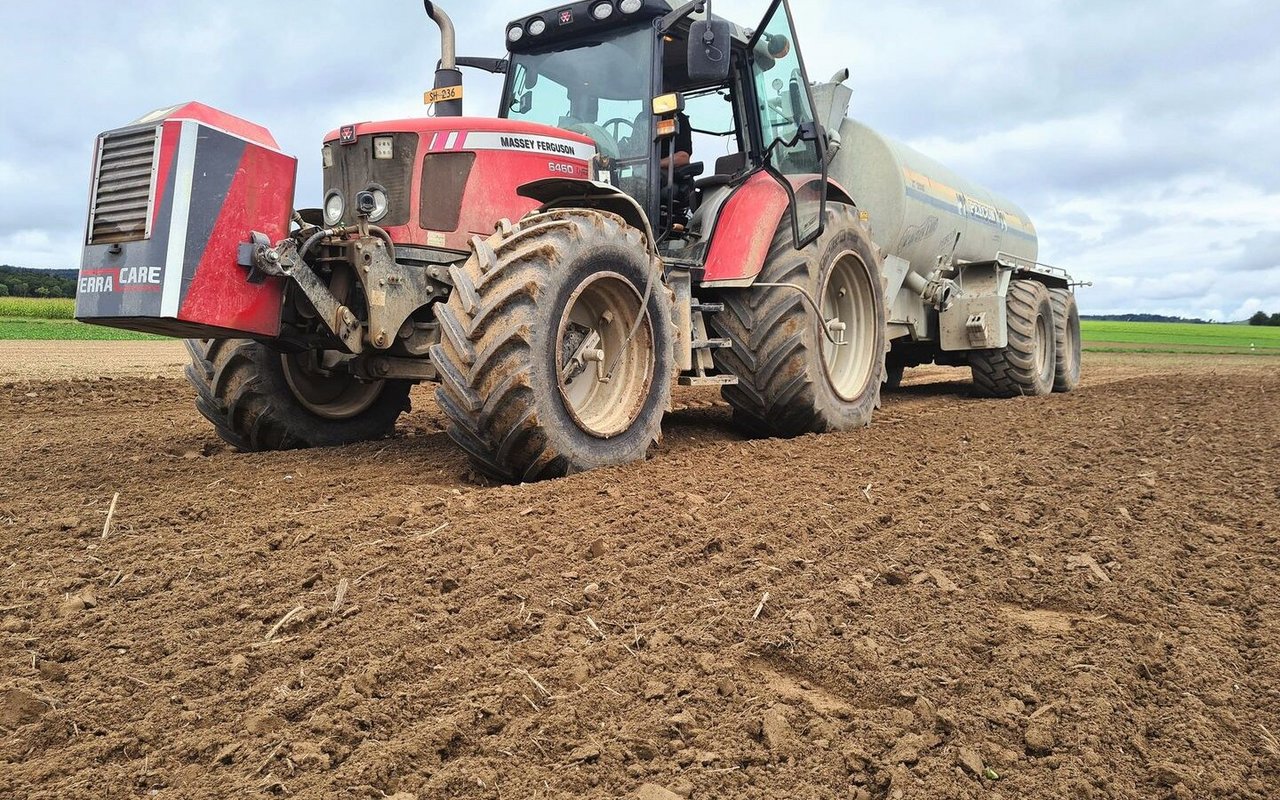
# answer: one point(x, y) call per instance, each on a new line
point(785, 108)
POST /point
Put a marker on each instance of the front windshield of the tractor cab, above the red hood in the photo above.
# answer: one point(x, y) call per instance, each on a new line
point(598, 86)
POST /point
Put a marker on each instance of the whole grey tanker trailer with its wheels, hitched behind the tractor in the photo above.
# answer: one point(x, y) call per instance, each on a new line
point(963, 284)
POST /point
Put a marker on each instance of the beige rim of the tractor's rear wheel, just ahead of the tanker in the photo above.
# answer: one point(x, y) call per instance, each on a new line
point(848, 301)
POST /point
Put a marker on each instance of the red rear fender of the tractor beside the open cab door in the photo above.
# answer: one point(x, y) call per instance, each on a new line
point(747, 225)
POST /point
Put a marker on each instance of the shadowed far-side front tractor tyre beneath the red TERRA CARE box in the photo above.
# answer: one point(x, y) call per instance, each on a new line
point(262, 400)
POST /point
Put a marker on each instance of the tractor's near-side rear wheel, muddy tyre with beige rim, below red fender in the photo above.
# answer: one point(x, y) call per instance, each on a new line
point(793, 380)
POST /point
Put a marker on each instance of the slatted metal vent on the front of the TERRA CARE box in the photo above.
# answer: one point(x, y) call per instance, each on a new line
point(125, 186)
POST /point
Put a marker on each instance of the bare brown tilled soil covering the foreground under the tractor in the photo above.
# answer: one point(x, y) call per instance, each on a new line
point(1077, 595)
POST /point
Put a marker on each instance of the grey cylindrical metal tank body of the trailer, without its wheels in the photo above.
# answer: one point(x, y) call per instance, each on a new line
point(916, 205)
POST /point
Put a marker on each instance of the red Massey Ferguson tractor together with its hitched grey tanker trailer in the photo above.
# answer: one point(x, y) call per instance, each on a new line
point(559, 268)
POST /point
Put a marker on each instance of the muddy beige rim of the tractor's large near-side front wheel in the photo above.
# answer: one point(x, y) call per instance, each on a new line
point(593, 339)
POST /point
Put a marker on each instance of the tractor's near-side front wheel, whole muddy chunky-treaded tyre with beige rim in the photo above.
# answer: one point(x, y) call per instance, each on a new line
point(556, 348)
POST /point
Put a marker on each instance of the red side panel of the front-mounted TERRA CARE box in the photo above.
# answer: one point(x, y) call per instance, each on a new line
point(260, 199)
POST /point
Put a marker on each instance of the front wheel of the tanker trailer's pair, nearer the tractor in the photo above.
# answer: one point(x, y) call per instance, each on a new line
point(1026, 365)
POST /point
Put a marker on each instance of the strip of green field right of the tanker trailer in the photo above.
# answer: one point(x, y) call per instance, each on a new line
point(1180, 339)
